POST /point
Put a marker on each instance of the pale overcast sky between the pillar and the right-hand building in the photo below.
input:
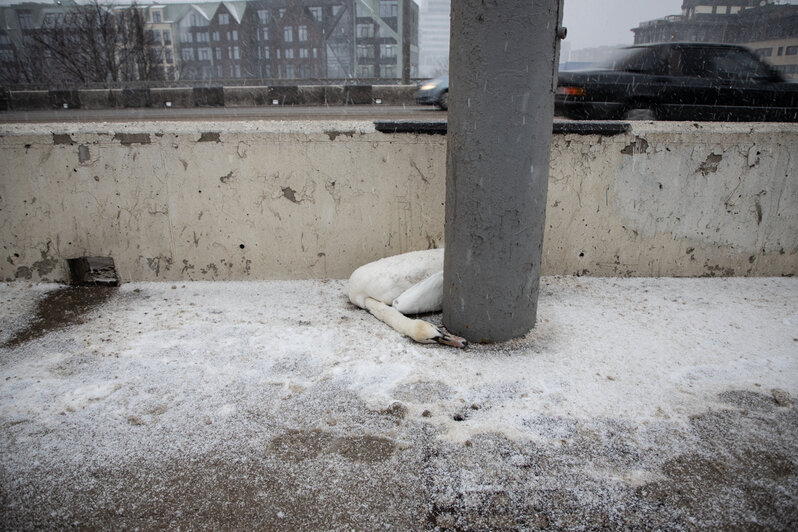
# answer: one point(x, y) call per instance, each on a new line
point(605, 22)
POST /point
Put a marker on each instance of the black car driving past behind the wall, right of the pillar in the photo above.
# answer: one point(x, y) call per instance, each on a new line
point(679, 81)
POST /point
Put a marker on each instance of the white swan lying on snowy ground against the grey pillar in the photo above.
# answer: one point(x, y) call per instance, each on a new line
point(409, 283)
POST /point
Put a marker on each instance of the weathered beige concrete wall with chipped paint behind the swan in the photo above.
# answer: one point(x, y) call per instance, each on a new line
point(272, 200)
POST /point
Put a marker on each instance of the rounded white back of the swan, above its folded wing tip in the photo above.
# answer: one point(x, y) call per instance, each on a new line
point(386, 279)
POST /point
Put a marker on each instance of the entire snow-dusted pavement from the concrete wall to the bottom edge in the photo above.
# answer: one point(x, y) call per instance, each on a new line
point(289, 371)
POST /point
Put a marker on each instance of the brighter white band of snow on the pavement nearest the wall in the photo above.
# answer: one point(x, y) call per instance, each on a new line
point(208, 358)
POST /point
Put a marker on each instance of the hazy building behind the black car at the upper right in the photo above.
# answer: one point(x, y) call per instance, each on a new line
point(766, 27)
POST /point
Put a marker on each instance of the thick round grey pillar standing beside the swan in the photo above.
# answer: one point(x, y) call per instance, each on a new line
point(502, 72)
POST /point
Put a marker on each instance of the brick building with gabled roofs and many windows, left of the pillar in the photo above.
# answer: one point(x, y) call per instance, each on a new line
point(298, 39)
